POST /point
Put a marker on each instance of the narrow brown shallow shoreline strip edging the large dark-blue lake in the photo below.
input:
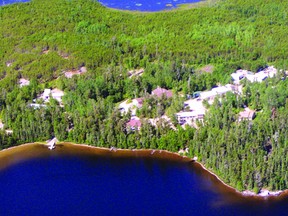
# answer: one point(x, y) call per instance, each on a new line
point(6, 154)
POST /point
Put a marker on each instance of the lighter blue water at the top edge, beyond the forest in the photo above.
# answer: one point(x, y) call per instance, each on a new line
point(139, 5)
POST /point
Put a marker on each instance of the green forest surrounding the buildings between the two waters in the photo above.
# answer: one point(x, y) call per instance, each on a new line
point(41, 40)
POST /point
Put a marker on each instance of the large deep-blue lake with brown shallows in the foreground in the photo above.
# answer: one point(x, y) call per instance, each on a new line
point(78, 180)
